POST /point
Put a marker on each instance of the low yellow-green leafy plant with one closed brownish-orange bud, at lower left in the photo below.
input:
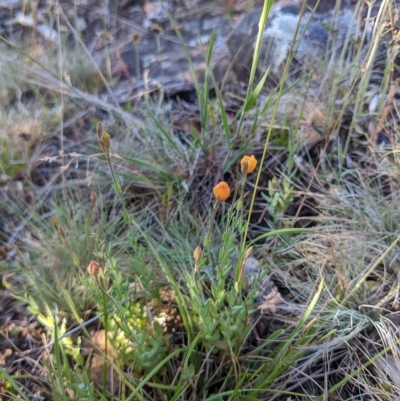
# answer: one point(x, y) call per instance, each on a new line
point(133, 333)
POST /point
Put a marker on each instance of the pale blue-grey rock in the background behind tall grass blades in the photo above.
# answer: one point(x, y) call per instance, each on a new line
point(314, 32)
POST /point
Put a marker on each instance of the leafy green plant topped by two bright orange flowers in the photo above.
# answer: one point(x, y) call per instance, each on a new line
point(220, 309)
